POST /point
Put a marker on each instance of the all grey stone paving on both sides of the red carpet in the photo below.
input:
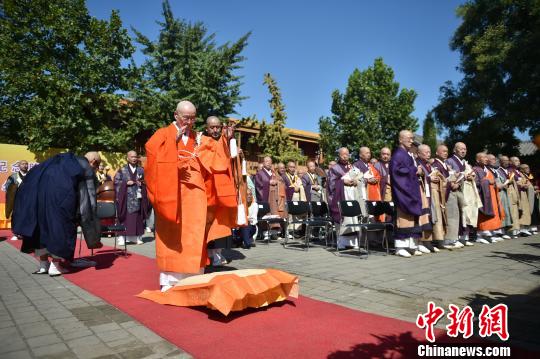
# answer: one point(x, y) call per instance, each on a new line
point(50, 317)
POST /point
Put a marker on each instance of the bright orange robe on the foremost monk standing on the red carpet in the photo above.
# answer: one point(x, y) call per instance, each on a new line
point(183, 180)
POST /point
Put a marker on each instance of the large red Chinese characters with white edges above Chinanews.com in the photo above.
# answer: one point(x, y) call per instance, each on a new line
point(491, 321)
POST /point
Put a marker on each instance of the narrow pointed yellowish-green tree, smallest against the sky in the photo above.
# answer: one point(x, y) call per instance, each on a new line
point(273, 139)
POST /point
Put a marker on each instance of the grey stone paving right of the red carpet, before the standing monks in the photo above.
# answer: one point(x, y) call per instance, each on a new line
point(505, 272)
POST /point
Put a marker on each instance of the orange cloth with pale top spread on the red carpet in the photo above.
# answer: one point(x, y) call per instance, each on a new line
point(229, 291)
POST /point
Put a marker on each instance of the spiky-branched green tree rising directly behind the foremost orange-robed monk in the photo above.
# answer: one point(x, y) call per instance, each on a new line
point(185, 63)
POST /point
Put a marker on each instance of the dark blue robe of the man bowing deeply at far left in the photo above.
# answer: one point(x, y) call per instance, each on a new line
point(49, 205)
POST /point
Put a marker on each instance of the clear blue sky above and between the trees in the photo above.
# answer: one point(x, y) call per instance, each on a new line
point(311, 47)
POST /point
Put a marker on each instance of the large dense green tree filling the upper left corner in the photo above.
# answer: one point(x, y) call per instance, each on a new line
point(60, 76)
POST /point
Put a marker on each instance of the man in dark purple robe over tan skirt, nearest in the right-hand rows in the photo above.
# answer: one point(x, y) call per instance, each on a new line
point(404, 172)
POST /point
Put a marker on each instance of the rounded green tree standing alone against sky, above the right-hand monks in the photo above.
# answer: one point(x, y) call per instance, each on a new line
point(370, 113)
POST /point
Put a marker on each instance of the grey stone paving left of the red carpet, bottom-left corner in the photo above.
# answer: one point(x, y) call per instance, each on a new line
point(44, 317)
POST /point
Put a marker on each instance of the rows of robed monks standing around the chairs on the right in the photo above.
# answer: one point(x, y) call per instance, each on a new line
point(441, 202)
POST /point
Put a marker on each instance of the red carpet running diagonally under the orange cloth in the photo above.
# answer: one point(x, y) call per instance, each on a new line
point(305, 328)
